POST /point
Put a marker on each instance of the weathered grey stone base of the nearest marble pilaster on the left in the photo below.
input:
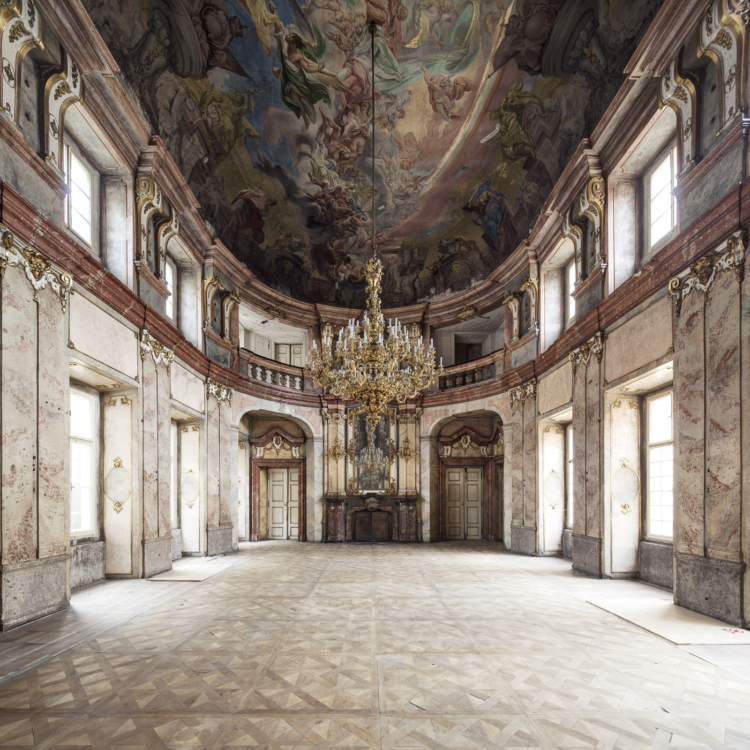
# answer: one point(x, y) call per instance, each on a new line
point(32, 589)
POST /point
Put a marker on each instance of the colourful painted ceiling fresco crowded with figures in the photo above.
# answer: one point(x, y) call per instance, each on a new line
point(265, 107)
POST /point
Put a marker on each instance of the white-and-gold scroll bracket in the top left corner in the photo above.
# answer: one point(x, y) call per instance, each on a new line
point(21, 30)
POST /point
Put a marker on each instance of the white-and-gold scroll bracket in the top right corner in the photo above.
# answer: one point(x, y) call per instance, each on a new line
point(722, 37)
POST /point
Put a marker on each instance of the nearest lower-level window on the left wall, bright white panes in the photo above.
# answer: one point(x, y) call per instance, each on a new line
point(82, 462)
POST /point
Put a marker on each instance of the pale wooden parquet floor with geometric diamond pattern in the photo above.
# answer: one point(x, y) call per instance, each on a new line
point(303, 646)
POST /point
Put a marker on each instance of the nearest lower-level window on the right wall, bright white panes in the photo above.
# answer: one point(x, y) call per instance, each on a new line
point(659, 465)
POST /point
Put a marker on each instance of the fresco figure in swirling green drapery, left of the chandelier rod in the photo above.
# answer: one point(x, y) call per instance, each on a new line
point(303, 78)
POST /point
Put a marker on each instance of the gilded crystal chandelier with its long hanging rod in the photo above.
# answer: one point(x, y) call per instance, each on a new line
point(368, 364)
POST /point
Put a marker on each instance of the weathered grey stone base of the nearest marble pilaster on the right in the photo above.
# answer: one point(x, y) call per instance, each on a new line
point(710, 586)
